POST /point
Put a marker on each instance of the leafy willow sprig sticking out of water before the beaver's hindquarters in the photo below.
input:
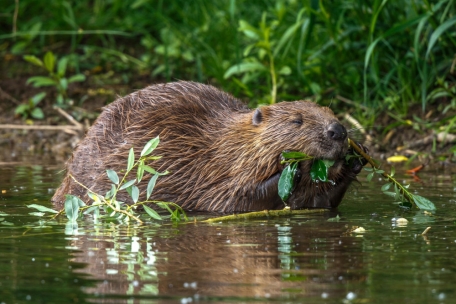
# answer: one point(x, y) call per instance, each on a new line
point(109, 207)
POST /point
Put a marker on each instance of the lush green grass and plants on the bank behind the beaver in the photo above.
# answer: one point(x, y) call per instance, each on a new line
point(375, 55)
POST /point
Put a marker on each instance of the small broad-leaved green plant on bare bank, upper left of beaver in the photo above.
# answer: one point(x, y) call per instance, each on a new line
point(56, 76)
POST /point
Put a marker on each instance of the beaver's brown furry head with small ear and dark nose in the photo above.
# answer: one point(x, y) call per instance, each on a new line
point(302, 126)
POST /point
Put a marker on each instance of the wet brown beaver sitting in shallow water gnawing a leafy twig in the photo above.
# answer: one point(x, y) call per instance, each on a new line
point(223, 157)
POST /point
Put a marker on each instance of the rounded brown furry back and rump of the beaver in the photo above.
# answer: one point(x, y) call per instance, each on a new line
point(187, 116)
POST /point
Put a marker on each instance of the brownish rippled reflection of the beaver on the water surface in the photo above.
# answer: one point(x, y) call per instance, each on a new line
point(243, 260)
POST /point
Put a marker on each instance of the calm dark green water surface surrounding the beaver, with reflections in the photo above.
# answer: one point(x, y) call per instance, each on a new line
point(282, 260)
